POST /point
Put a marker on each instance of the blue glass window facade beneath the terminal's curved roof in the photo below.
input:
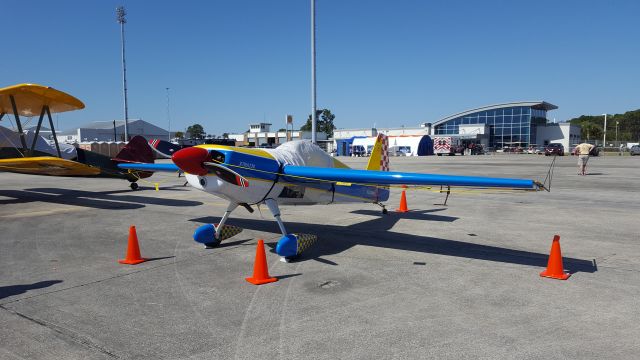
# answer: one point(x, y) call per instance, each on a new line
point(508, 126)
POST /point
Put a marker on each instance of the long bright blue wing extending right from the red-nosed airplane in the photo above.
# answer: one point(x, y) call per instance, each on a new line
point(304, 174)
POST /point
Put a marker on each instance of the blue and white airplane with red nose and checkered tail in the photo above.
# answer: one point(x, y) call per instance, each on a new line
point(299, 173)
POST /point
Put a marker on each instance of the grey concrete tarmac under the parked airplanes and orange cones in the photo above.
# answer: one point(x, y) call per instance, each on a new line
point(457, 281)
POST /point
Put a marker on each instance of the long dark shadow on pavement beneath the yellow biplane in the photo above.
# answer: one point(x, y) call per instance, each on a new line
point(109, 200)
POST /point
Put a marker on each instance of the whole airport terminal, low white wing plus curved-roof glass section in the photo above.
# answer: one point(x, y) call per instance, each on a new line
point(496, 127)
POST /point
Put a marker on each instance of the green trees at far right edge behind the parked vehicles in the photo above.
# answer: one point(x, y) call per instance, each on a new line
point(592, 126)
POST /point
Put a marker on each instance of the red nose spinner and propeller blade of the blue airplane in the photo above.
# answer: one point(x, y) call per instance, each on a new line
point(199, 161)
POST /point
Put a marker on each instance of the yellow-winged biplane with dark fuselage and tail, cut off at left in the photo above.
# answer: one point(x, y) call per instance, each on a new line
point(38, 157)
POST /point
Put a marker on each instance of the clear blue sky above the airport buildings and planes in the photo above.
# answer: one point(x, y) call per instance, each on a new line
point(389, 63)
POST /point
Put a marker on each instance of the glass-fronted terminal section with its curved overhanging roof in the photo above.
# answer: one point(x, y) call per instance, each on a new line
point(509, 124)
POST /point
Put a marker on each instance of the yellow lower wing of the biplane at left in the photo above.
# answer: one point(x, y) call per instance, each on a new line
point(48, 165)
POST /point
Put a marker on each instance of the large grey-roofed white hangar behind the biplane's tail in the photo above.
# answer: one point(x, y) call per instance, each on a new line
point(111, 131)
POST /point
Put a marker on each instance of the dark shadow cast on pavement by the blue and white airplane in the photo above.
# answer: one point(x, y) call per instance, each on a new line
point(334, 239)
